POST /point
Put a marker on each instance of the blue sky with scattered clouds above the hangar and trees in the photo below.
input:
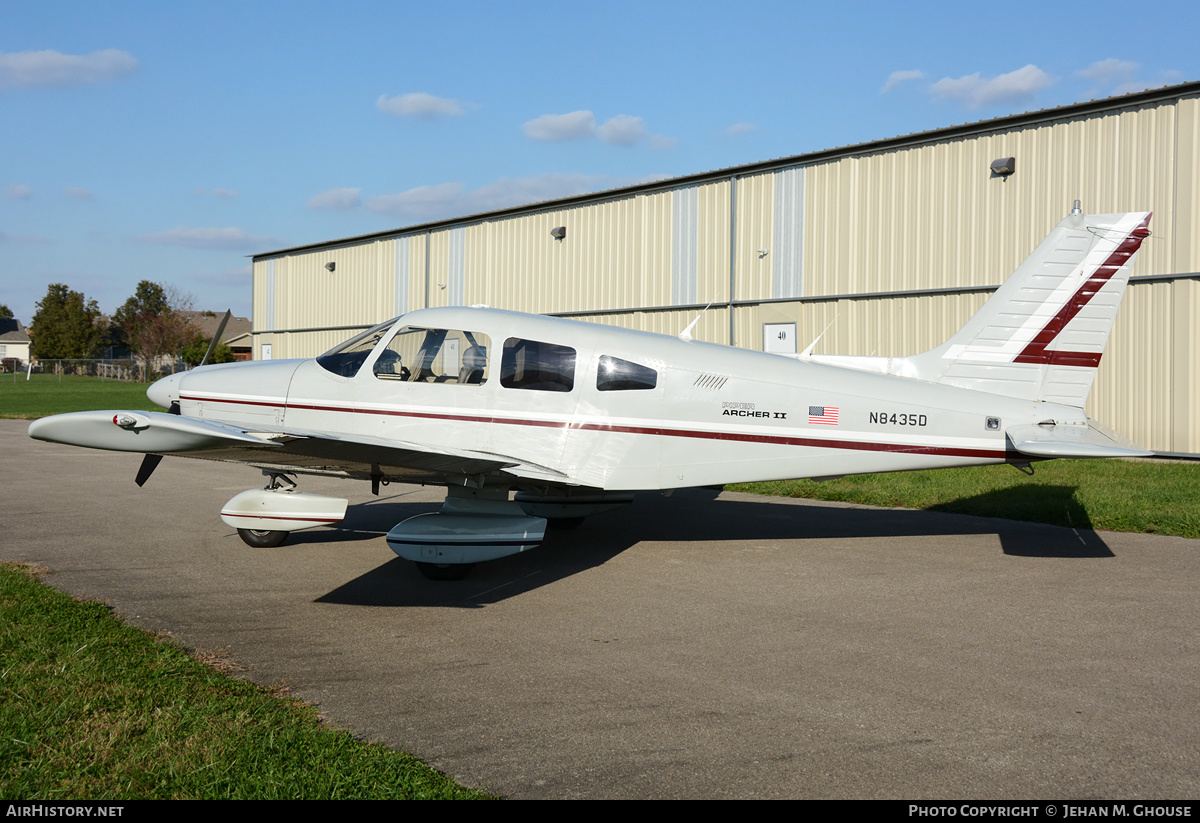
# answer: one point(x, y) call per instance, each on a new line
point(171, 141)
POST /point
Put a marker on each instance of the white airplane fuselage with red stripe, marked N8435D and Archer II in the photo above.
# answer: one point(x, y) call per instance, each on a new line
point(693, 414)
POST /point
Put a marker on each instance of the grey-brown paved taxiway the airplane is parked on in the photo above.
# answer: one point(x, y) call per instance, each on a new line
point(691, 646)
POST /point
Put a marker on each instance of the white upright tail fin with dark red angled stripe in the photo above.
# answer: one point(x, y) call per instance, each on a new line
point(1042, 334)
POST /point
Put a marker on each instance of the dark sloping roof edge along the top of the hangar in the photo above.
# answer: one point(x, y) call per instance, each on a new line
point(979, 128)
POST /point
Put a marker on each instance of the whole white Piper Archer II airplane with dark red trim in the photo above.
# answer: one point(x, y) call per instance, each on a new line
point(574, 418)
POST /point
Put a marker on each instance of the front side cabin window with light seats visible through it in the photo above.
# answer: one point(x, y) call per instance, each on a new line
point(435, 356)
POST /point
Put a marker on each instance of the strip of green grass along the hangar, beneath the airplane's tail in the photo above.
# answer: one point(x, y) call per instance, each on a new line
point(1154, 497)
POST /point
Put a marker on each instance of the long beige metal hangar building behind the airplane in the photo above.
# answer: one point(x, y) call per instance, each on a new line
point(889, 248)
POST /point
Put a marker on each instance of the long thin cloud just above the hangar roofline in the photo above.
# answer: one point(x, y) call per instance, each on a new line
point(453, 200)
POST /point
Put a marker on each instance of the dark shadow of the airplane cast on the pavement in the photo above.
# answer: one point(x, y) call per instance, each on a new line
point(687, 516)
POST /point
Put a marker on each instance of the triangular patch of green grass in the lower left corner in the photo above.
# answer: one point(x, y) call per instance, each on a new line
point(94, 710)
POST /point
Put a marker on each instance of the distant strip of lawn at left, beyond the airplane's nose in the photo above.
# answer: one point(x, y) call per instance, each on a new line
point(47, 394)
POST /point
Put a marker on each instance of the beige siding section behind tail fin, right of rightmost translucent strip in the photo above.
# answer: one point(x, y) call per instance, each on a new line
point(933, 217)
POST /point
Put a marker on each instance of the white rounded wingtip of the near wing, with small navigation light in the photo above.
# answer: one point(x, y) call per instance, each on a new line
point(147, 432)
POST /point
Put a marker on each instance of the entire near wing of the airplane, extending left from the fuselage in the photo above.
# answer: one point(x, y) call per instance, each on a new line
point(290, 452)
